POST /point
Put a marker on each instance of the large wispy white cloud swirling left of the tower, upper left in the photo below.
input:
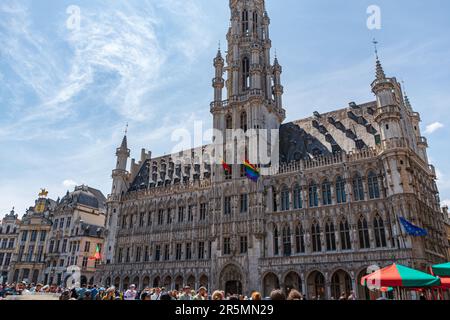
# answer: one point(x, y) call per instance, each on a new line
point(119, 57)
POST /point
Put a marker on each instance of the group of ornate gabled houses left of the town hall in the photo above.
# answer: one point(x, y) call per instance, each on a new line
point(54, 239)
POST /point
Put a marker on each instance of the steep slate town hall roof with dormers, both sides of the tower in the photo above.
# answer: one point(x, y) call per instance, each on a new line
point(342, 130)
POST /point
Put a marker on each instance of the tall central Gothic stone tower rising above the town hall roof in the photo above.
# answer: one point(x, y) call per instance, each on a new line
point(253, 85)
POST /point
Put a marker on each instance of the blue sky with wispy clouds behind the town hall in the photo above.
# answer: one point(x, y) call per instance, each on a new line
point(66, 95)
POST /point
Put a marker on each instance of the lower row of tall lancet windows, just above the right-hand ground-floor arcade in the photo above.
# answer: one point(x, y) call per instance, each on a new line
point(343, 232)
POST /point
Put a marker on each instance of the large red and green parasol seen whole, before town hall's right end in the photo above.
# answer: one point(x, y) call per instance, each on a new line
point(399, 276)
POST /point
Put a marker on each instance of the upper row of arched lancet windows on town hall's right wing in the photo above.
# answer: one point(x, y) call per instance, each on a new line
point(325, 189)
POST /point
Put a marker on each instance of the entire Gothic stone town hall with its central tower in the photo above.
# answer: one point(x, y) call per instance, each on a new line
point(316, 223)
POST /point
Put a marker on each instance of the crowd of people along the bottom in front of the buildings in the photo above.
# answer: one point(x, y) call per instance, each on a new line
point(88, 292)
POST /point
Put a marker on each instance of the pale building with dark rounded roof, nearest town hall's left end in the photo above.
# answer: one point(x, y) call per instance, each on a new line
point(77, 230)
